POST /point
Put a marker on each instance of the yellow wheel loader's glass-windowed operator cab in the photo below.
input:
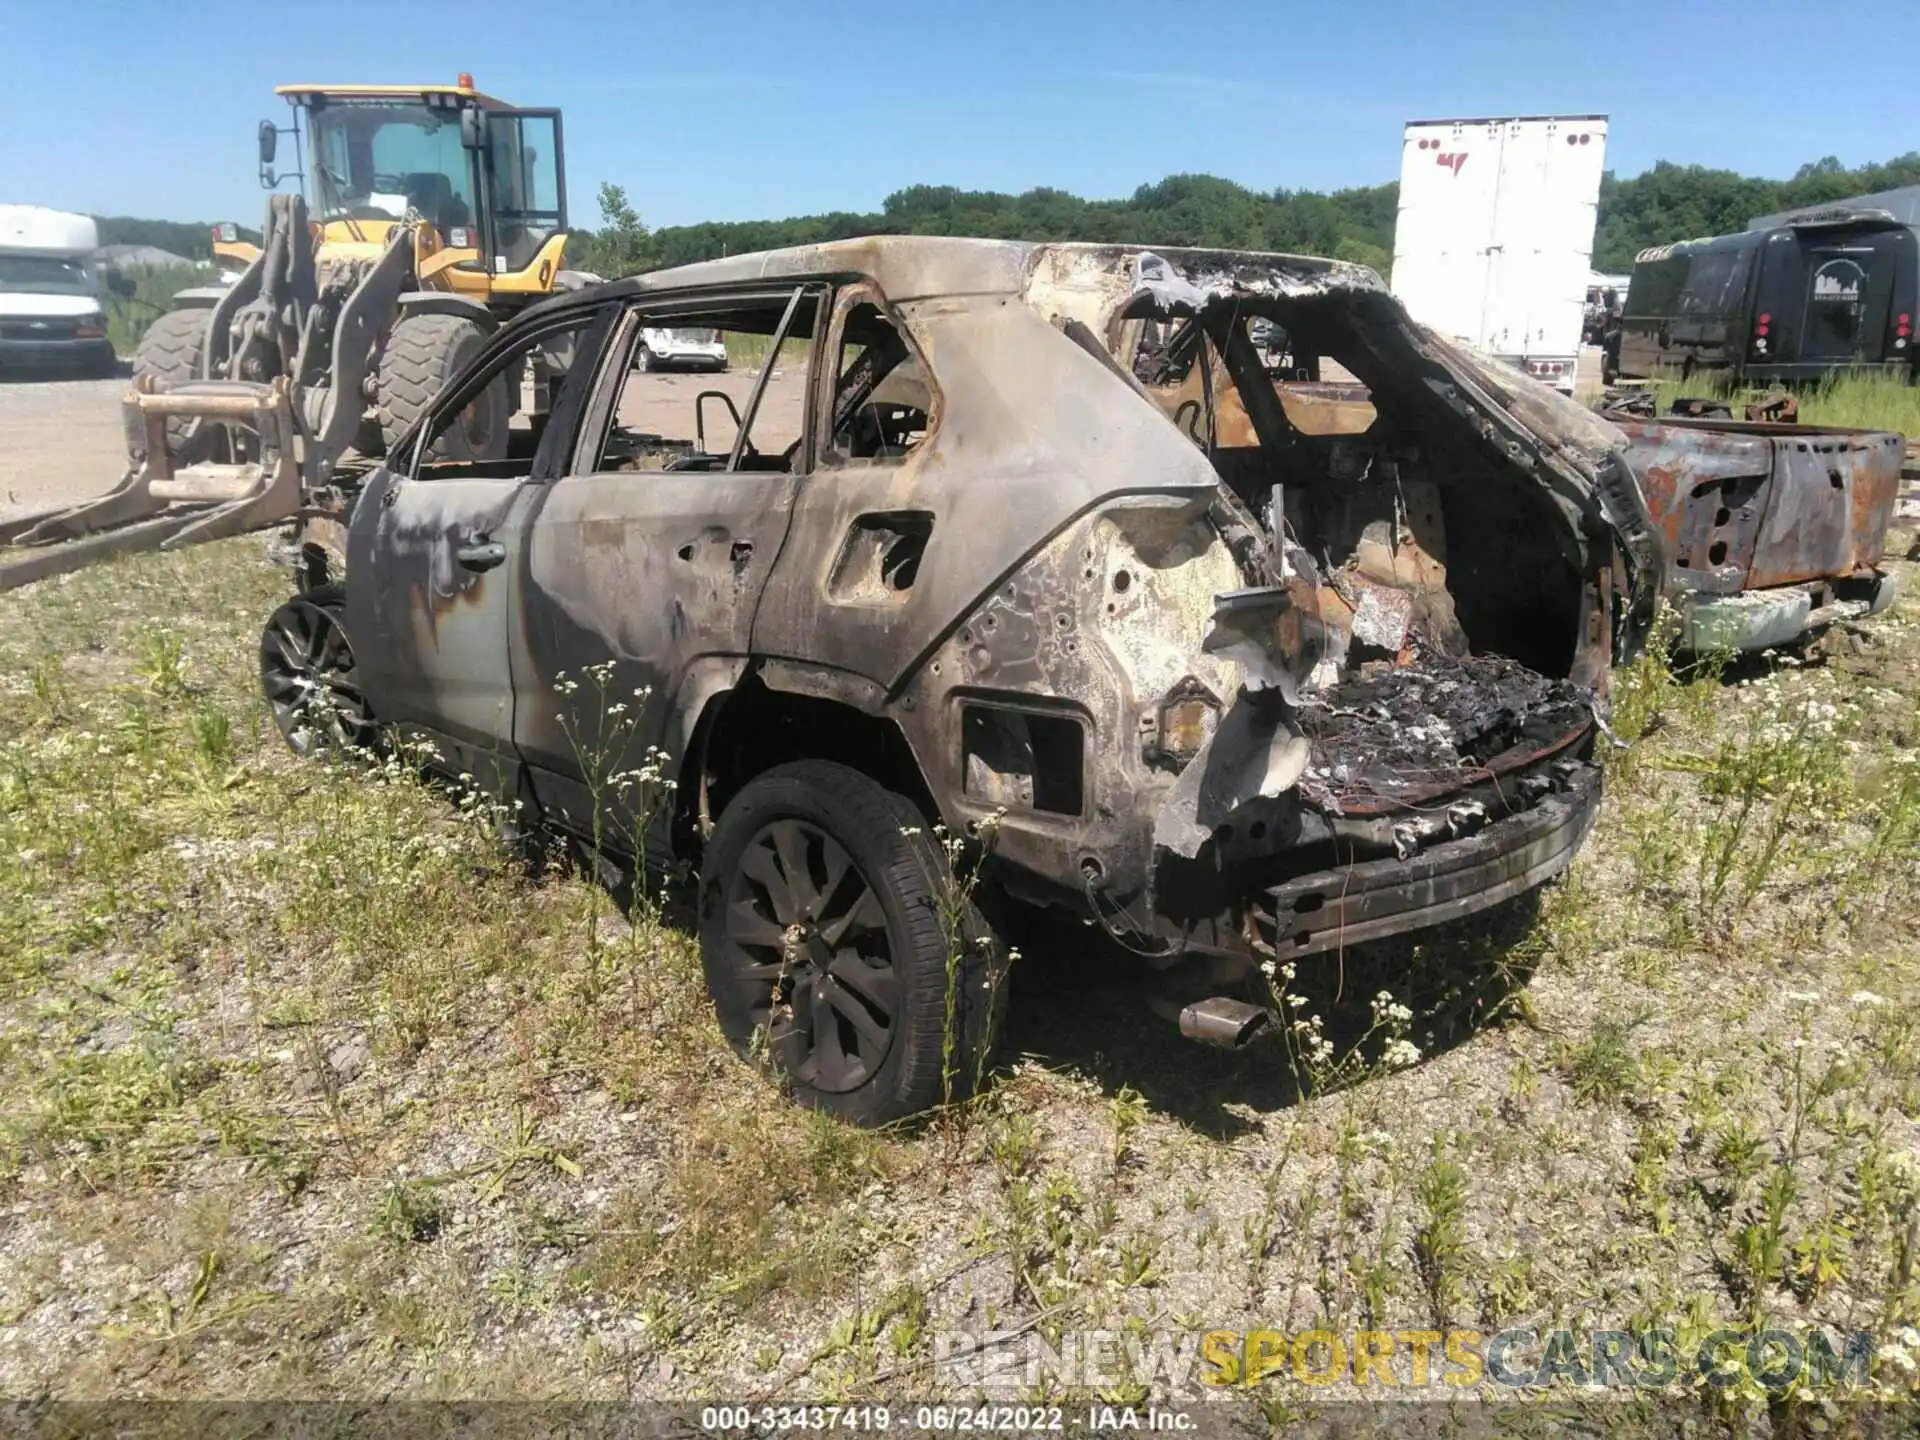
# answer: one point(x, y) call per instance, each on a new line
point(487, 178)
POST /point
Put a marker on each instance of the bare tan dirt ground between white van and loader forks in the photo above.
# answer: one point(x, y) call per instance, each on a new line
point(62, 443)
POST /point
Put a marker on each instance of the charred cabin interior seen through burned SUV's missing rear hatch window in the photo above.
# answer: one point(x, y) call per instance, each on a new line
point(1428, 540)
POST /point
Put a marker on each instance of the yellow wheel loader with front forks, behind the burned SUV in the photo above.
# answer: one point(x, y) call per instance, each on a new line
point(423, 220)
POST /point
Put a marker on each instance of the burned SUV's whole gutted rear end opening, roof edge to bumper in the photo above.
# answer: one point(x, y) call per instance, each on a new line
point(1437, 612)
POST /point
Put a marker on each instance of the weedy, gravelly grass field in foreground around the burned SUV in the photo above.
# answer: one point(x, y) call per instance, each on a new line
point(308, 1092)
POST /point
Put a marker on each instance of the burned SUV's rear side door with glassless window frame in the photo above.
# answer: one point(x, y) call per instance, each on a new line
point(646, 560)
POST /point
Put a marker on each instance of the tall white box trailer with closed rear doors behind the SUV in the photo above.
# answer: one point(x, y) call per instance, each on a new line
point(1497, 233)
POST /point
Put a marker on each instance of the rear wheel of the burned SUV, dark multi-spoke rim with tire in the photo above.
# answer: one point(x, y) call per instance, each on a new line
point(828, 953)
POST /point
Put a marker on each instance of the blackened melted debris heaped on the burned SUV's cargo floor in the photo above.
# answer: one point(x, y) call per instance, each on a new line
point(1395, 732)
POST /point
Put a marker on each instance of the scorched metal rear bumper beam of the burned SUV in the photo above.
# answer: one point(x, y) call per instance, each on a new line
point(1376, 900)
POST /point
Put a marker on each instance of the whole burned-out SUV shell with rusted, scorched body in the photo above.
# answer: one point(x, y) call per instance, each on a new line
point(1186, 663)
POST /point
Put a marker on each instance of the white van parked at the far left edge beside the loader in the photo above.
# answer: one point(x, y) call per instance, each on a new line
point(51, 316)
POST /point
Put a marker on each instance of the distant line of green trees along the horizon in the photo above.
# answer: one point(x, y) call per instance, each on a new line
point(1668, 203)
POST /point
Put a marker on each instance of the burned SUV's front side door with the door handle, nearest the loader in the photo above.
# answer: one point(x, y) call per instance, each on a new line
point(433, 556)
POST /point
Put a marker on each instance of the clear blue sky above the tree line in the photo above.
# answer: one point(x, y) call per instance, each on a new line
point(731, 110)
